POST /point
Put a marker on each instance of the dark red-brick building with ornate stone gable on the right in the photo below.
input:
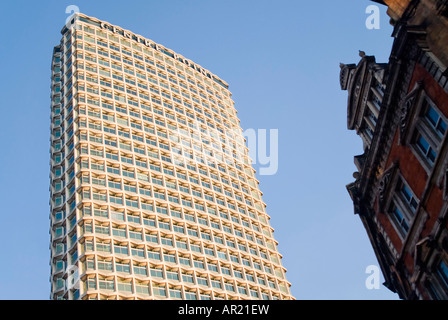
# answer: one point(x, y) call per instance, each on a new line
point(400, 110)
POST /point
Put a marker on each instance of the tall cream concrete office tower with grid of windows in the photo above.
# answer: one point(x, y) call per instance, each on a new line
point(153, 195)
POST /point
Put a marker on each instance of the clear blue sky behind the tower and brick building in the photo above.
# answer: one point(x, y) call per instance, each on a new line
point(281, 59)
